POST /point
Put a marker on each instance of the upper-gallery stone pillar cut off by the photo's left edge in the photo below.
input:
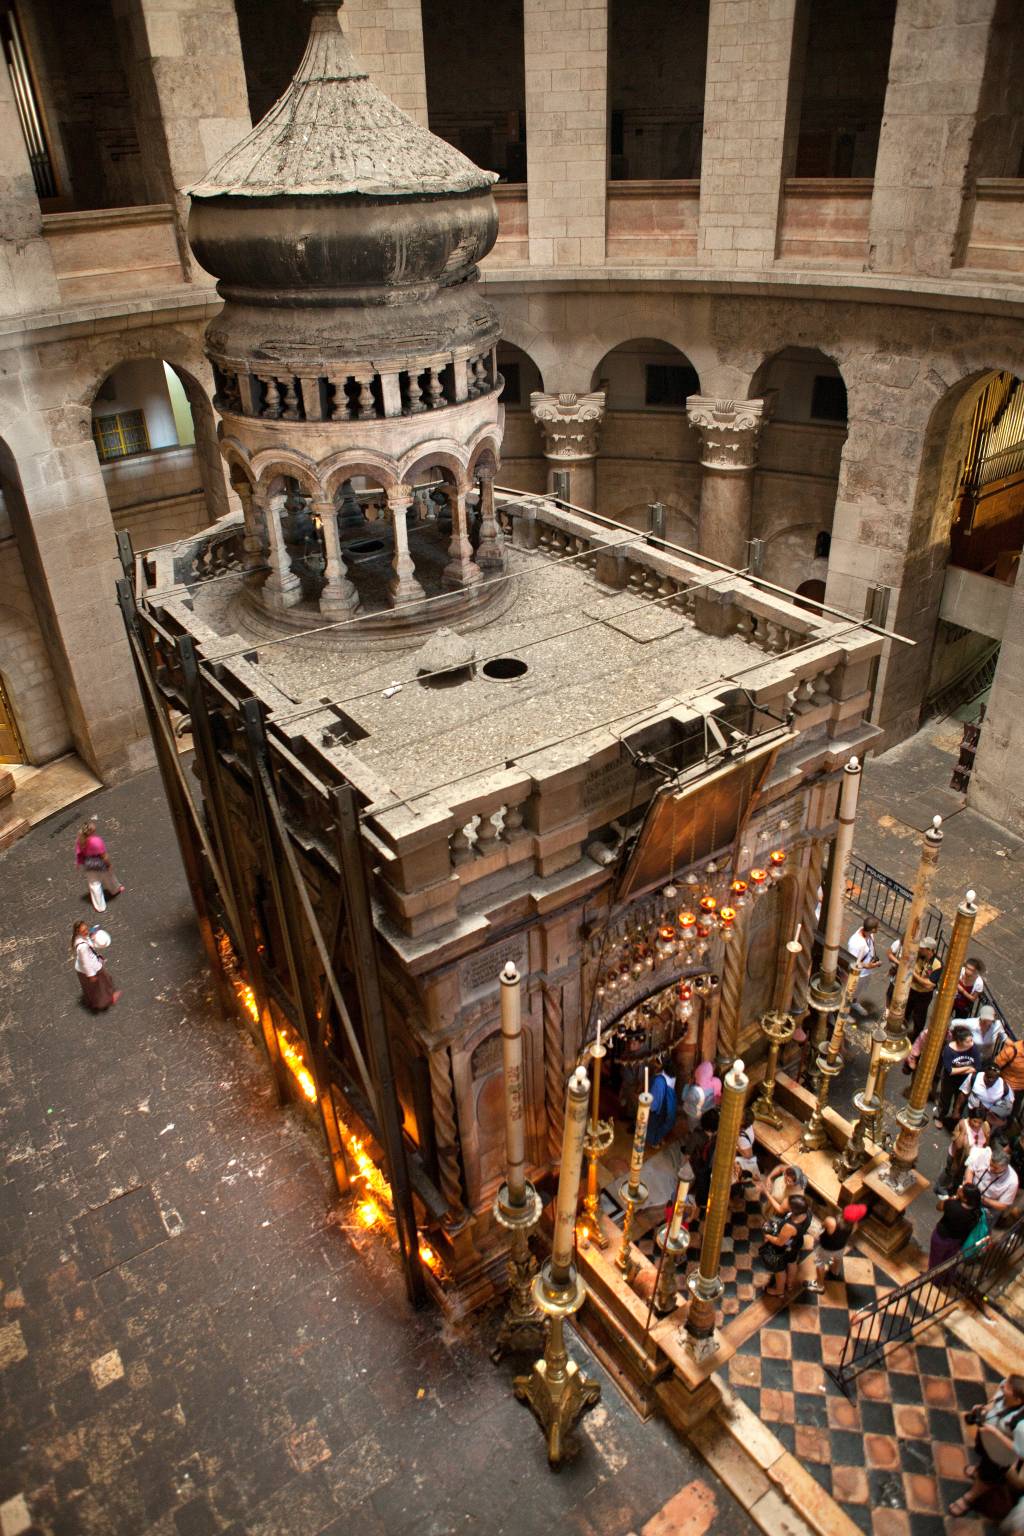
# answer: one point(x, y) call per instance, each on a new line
point(27, 270)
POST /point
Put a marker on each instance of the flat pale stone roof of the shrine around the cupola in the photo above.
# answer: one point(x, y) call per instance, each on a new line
point(592, 657)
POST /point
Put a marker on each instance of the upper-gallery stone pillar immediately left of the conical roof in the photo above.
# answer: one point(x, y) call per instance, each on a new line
point(188, 84)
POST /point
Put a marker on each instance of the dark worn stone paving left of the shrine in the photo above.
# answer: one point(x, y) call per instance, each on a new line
point(191, 1339)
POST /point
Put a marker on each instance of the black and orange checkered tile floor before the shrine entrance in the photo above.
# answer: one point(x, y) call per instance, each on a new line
point(894, 1457)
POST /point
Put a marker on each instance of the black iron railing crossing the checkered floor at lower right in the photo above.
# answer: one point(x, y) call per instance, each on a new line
point(908, 1309)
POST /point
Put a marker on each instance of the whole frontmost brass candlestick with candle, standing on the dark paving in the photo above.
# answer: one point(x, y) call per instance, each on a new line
point(558, 1392)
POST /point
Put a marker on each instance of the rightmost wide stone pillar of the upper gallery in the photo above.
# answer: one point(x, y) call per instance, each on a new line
point(937, 70)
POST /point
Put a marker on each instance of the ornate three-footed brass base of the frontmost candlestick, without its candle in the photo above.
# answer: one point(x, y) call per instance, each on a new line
point(557, 1389)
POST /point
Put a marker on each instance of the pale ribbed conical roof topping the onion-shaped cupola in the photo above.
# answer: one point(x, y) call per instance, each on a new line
point(335, 134)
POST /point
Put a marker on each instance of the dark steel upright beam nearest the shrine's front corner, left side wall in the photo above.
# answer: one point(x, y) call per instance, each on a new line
point(365, 955)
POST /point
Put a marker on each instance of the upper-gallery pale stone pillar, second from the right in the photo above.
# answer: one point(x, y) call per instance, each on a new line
point(753, 47)
